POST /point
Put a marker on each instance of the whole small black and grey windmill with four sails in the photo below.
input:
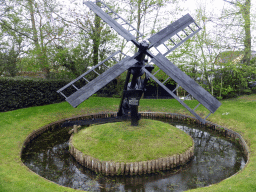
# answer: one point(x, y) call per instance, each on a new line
point(162, 43)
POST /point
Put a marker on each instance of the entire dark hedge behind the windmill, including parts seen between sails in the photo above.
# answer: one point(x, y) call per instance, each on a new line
point(17, 93)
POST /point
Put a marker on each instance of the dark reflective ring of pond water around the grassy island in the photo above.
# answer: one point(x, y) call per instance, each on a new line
point(215, 159)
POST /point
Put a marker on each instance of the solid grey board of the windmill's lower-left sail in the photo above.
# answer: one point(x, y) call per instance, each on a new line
point(96, 84)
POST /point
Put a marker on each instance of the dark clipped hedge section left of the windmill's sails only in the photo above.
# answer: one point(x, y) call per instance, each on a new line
point(16, 93)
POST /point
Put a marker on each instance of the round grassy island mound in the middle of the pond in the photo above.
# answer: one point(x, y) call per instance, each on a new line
point(121, 142)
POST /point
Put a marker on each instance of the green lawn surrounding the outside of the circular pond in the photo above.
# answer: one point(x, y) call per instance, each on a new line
point(236, 114)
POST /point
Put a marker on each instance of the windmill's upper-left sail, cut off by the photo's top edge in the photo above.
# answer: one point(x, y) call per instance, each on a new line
point(112, 22)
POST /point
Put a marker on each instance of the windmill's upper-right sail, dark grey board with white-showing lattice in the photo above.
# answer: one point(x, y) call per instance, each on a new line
point(177, 33)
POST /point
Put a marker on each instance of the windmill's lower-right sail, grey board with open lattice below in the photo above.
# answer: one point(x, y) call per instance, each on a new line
point(183, 80)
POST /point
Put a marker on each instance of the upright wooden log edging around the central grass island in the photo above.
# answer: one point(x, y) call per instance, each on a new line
point(133, 168)
